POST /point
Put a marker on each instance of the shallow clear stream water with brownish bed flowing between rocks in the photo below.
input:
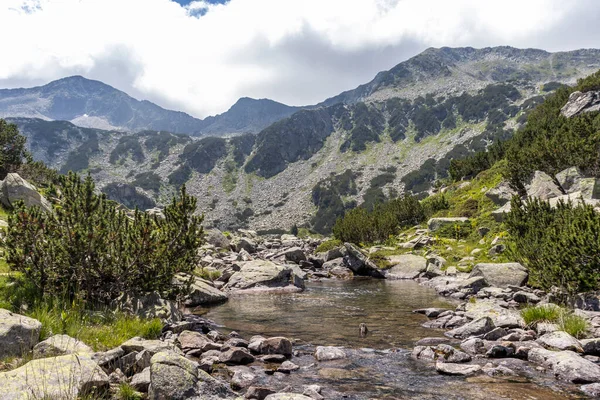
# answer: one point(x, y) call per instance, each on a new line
point(379, 365)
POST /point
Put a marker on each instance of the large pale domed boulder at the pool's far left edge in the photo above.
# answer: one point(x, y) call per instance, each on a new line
point(260, 274)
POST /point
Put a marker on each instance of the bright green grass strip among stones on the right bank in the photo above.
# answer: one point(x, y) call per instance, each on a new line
point(574, 325)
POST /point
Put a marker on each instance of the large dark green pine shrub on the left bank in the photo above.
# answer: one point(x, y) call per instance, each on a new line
point(89, 249)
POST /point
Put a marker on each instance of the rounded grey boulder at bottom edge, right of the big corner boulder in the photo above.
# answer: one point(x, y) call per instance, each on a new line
point(172, 376)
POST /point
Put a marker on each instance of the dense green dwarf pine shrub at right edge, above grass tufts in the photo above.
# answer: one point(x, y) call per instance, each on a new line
point(560, 246)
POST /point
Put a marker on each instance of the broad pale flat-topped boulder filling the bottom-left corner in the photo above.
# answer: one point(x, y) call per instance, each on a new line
point(65, 377)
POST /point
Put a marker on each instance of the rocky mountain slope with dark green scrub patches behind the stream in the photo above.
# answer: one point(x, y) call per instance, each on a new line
point(394, 135)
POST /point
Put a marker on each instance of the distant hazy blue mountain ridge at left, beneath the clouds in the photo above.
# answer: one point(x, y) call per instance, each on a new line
point(93, 104)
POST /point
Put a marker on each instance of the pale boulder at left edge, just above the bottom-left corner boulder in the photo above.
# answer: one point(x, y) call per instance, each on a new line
point(18, 333)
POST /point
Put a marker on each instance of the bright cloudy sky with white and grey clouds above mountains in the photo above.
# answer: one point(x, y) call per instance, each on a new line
point(201, 56)
